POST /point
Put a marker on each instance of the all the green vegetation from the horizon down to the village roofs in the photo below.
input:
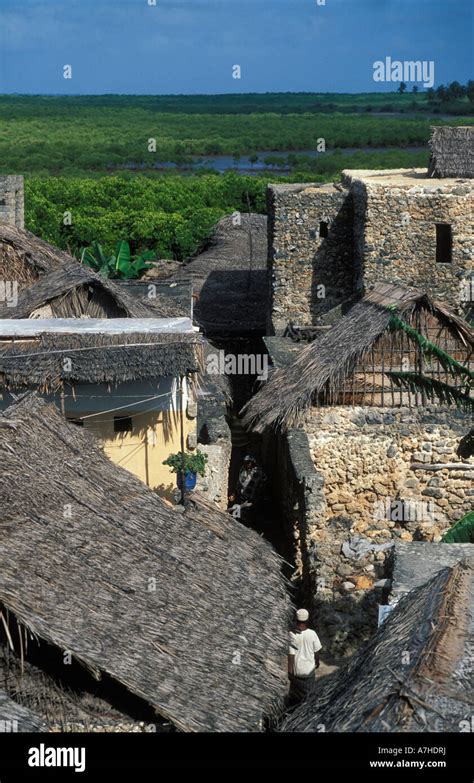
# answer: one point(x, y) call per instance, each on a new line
point(90, 155)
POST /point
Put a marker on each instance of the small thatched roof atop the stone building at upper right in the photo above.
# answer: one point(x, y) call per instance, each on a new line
point(452, 151)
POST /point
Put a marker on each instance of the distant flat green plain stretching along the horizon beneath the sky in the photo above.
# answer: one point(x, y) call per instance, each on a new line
point(87, 135)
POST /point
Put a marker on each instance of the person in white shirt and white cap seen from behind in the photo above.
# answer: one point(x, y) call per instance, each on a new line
point(303, 658)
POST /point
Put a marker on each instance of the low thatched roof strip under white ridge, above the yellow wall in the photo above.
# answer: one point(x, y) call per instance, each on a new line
point(96, 358)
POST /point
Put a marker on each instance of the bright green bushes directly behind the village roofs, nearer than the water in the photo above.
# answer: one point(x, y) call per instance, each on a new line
point(171, 216)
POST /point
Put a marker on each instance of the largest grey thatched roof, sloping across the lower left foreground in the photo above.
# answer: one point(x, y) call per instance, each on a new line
point(188, 610)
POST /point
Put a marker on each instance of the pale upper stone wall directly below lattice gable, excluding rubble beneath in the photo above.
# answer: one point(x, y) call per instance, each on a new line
point(370, 454)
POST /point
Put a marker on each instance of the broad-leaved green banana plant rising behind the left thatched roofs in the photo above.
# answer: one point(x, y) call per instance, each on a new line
point(120, 265)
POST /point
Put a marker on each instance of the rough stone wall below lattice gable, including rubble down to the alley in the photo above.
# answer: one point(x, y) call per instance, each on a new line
point(377, 488)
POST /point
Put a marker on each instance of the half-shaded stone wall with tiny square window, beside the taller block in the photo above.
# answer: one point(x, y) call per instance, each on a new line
point(310, 273)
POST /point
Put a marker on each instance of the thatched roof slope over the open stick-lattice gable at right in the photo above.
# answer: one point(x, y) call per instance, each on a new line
point(323, 364)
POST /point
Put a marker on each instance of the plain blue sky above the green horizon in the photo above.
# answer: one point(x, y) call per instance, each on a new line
point(190, 46)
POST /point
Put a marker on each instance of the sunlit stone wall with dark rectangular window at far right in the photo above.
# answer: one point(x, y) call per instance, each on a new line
point(395, 234)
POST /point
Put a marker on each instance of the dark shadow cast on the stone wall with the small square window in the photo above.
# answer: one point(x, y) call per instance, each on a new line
point(333, 267)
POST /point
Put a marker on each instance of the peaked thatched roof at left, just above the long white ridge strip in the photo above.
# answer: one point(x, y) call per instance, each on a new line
point(73, 291)
